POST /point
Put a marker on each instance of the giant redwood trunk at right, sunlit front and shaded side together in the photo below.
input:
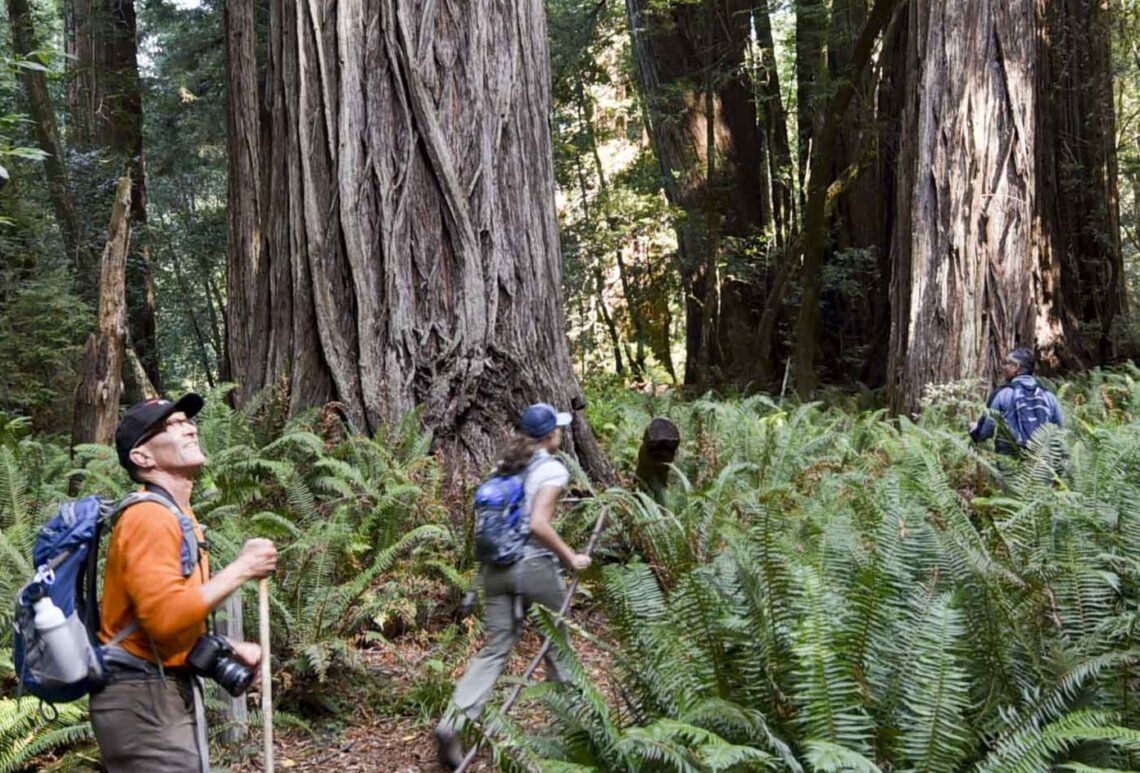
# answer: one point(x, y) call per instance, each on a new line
point(983, 261)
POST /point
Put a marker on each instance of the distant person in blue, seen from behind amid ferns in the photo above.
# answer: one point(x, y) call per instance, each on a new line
point(1022, 403)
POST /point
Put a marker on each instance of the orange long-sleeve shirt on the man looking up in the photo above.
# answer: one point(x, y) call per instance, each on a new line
point(144, 579)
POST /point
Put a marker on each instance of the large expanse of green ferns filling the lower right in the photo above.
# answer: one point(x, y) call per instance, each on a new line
point(824, 591)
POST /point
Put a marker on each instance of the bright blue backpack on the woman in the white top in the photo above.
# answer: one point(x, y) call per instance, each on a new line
point(502, 524)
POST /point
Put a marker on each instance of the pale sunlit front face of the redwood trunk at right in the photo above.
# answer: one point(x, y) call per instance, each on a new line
point(973, 197)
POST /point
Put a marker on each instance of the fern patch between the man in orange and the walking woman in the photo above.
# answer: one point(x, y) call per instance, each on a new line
point(343, 514)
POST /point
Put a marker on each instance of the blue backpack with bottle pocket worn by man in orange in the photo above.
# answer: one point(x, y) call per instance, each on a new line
point(67, 556)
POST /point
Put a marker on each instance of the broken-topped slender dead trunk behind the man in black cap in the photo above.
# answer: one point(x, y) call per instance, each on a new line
point(97, 397)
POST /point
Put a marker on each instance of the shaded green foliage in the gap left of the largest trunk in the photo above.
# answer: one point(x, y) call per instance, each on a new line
point(185, 97)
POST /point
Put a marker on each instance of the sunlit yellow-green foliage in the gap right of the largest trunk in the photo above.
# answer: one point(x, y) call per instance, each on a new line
point(618, 253)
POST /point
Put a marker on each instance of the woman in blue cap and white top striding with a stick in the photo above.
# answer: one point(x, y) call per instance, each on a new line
point(536, 579)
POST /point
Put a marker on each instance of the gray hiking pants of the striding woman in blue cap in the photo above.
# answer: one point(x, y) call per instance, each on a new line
point(536, 581)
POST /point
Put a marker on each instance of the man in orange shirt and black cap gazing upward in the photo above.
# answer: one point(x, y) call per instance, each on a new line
point(158, 593)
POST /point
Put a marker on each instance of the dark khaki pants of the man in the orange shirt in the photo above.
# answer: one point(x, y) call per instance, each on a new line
point(146, 726)
